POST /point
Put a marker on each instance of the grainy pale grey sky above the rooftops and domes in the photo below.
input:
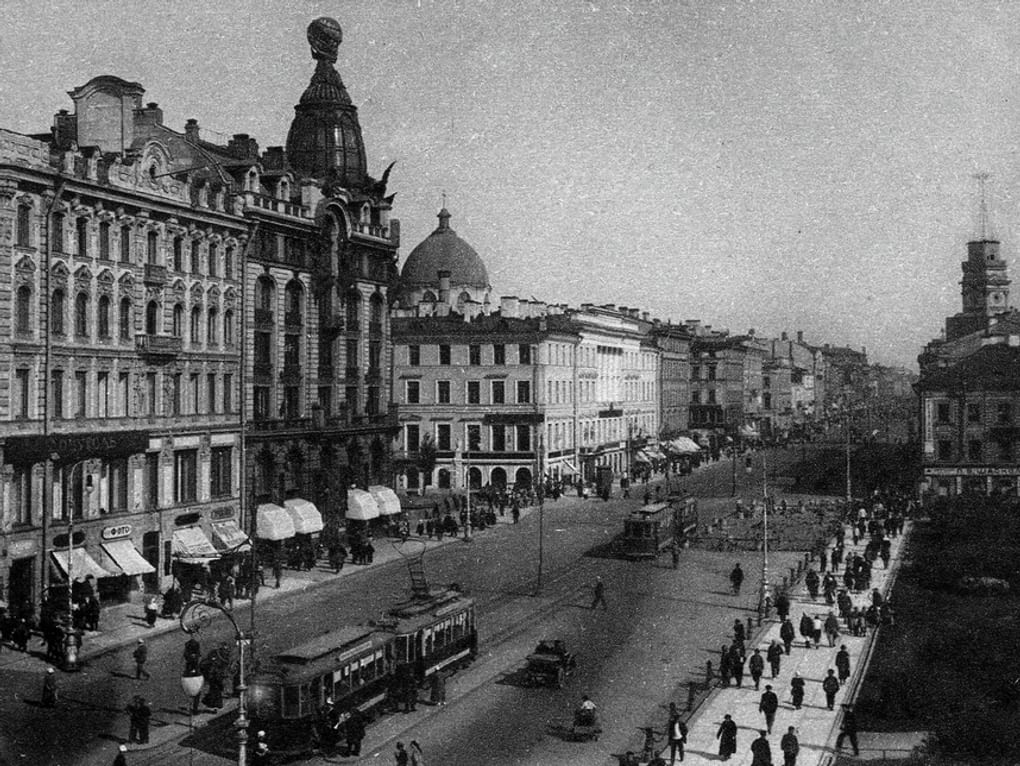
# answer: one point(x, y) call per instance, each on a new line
point(778, 166)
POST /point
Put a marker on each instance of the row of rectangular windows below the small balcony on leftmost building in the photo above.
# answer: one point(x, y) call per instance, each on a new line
point(109, 395)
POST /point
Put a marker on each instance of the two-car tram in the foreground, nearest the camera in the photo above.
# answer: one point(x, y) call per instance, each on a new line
point(360, 668)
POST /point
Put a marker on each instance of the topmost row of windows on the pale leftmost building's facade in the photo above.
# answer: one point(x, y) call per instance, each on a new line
point(217, 262)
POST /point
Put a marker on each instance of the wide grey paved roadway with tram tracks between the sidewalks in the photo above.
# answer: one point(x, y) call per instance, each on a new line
point(660, 628)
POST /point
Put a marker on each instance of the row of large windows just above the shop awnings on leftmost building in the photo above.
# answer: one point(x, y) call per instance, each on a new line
point(112, 487)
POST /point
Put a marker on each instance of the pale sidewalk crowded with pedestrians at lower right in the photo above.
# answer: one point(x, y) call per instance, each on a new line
point(817, 727)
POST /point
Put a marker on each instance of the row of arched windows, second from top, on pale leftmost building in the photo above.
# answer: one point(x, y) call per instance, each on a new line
point(84, 322)
